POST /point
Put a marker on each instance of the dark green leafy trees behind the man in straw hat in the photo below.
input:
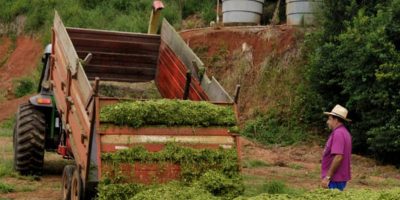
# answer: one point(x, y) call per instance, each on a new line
point(354, 60)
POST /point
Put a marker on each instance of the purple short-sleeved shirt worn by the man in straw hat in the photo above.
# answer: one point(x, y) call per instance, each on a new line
point(339, 142)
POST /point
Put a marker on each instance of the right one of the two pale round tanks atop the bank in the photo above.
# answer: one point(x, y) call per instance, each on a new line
point(302, 12)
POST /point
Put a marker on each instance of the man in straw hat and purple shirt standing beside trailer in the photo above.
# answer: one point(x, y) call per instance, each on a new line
point(336, 159)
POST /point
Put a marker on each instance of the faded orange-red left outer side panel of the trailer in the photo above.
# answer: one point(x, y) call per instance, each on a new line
point(71, 90)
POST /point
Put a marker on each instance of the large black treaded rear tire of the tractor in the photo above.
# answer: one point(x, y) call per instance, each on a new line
point(29, 140)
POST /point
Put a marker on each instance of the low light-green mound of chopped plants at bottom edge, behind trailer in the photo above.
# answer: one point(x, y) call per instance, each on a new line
point(174, 191)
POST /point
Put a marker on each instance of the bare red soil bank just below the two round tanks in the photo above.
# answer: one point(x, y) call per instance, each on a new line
point(263, 40)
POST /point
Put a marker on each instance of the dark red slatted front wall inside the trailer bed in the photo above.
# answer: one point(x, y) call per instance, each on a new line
point(117, 56)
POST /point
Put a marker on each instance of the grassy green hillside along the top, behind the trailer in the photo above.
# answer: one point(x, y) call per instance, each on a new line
point(122, 15)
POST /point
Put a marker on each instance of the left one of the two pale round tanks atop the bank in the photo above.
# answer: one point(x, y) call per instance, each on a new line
point(242, 11)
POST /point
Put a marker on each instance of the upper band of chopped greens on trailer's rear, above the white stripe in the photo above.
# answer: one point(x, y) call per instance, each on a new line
point(168, 112)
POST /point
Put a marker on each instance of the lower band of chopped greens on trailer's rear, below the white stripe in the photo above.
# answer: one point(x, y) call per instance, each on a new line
point(193, 162)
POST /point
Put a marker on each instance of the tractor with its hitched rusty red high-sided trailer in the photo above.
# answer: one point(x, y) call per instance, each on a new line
point(64, 115)
